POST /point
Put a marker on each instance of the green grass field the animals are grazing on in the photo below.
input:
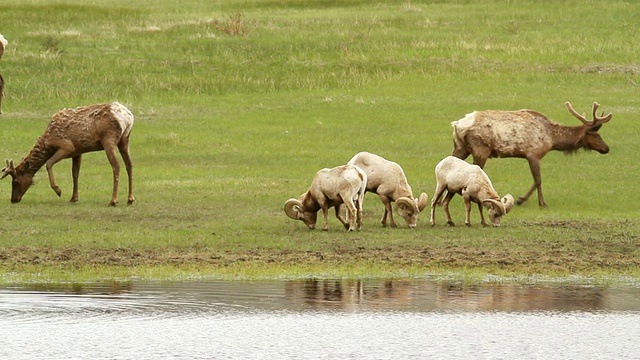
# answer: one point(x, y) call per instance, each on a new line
point(239, 103)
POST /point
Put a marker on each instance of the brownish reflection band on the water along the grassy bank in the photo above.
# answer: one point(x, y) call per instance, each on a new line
point(317, 295)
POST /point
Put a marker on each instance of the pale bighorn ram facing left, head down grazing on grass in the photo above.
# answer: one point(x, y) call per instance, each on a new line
point(344, 184)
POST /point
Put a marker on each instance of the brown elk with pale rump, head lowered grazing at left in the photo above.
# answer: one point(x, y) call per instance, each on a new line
point(71, 133)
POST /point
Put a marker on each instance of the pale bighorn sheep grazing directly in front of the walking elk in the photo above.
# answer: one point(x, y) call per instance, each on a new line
point(459, 177)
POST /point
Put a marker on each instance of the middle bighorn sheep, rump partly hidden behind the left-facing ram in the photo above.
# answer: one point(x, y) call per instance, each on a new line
point(387, 179)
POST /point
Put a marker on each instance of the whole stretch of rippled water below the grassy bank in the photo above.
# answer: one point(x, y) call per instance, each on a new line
point(369, 319)
